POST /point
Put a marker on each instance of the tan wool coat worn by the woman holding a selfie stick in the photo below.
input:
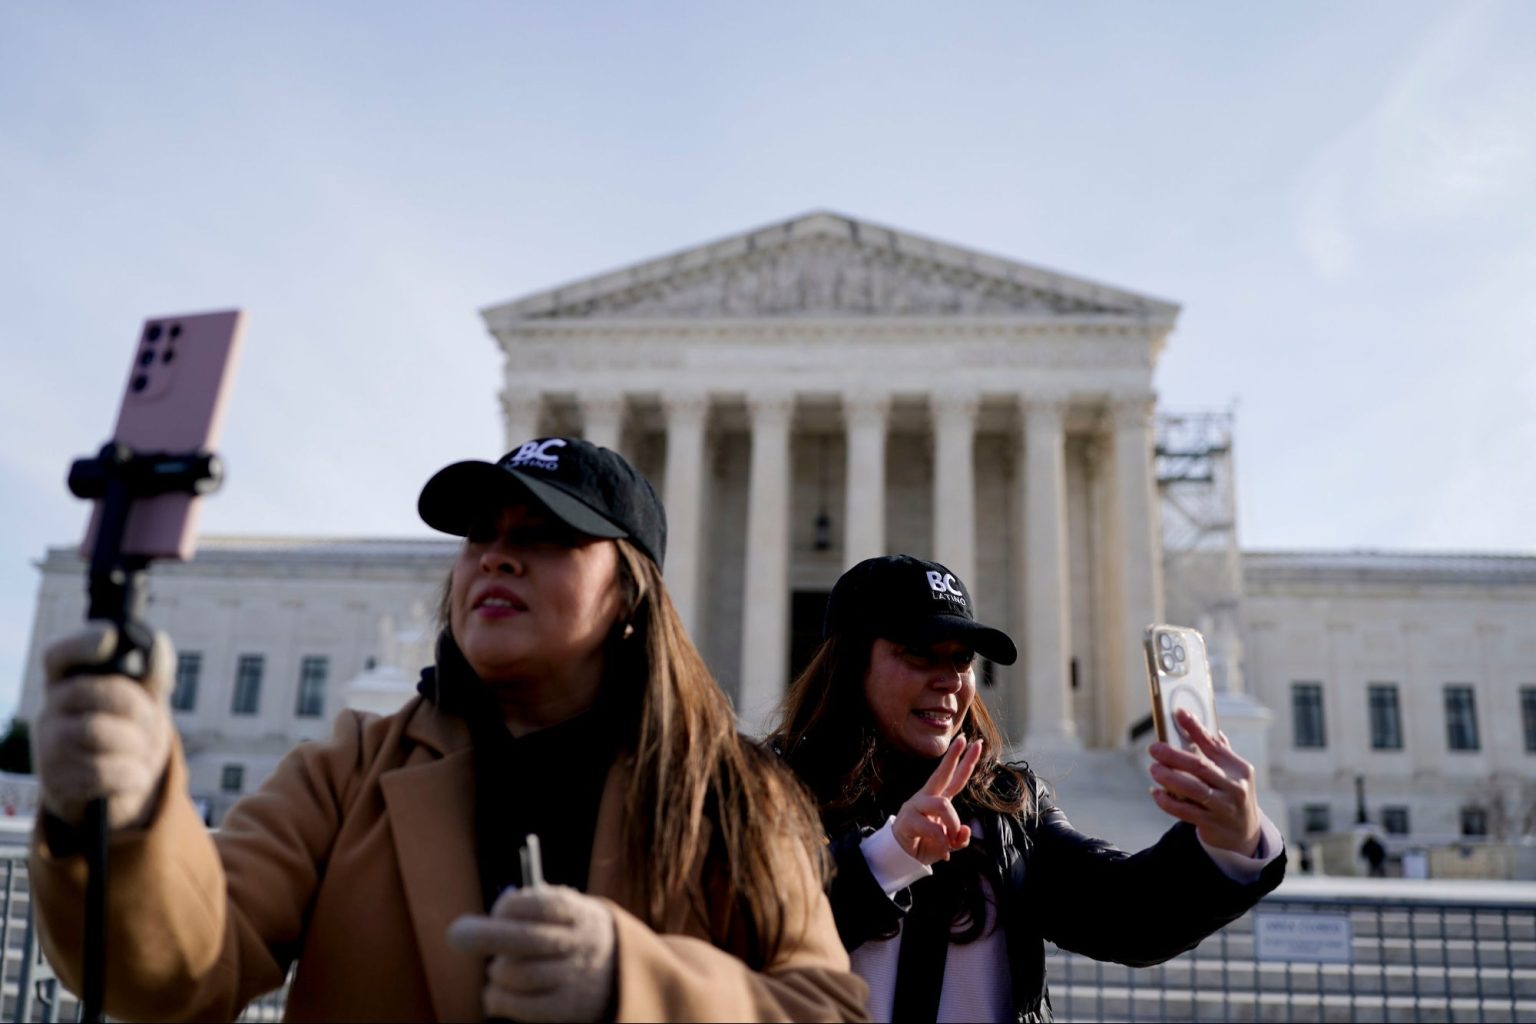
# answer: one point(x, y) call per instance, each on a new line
point(354, 859)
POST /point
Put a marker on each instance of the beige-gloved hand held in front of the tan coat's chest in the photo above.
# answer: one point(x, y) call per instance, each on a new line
point(552, 954)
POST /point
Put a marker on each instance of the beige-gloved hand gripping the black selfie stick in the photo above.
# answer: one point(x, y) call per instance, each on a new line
point(104, 736)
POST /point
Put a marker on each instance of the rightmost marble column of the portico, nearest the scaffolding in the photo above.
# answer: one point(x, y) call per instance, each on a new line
point(1140, 553)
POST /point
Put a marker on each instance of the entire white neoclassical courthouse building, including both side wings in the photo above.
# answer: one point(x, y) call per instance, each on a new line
point(826, 389)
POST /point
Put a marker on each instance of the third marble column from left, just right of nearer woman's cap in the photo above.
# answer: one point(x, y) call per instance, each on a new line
point(684, 497)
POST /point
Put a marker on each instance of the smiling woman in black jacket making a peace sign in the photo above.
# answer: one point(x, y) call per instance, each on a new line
point(953, 867)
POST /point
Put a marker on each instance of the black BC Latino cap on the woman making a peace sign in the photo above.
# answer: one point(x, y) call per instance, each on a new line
point(912, 603)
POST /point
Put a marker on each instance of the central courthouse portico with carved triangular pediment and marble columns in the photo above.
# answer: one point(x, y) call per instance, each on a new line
point(916, 397)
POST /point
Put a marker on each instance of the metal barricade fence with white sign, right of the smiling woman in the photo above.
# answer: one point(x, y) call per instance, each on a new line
point(1334, 951)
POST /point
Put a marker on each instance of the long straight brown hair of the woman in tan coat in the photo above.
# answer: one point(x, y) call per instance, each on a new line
point(700, 796)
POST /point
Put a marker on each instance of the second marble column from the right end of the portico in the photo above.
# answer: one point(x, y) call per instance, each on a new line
point(1047, 627)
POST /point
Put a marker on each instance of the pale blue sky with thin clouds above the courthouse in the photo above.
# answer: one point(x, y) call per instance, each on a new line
point(1340, 196)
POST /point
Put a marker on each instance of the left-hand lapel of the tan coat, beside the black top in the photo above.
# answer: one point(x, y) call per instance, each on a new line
point(432, 818)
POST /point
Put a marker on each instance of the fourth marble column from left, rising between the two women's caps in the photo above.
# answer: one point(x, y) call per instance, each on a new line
point(766, 627)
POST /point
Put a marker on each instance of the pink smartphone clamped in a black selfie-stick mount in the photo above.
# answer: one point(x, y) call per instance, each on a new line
point(173, 403)
